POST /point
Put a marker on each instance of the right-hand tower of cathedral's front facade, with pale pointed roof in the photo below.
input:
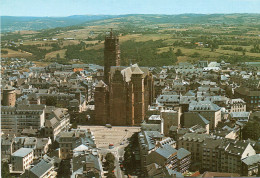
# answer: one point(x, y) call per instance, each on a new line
point(138, 90)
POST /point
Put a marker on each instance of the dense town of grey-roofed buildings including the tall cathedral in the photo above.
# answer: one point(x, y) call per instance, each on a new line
point(192, 116)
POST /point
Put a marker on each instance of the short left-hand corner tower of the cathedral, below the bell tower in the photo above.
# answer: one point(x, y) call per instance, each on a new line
point(101, 103)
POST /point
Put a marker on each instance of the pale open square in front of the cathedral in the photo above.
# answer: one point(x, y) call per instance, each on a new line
point(116, 135)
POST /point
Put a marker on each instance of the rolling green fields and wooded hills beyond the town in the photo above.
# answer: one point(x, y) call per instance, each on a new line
point(230, 37)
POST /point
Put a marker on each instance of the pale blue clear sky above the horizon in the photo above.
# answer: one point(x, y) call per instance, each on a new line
point(61, 8)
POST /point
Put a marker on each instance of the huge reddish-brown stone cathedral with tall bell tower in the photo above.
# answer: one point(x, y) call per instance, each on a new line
point(126, 92)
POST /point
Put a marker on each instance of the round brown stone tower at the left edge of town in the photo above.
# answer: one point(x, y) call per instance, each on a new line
point(9, 96)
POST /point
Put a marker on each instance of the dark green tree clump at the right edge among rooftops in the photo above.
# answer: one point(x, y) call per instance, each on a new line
point(251, 131)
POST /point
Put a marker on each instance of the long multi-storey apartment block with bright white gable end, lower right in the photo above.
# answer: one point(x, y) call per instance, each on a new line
point(226, 155)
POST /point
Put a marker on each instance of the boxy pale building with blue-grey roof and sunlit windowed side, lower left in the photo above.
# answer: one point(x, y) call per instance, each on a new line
point(21, 160)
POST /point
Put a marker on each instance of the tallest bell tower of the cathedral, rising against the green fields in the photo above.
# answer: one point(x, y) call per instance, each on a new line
point(111, 54)
